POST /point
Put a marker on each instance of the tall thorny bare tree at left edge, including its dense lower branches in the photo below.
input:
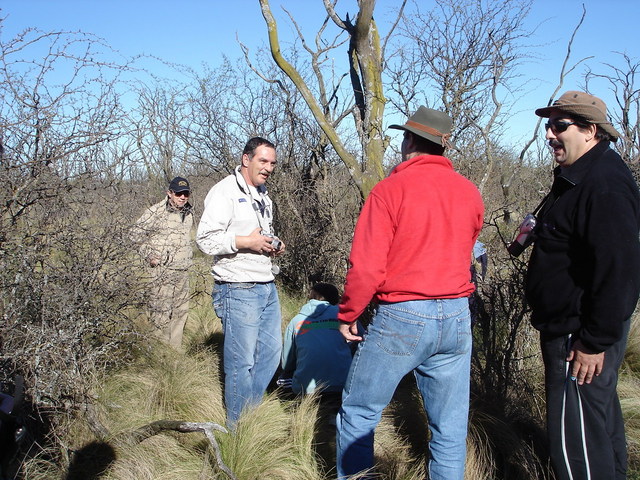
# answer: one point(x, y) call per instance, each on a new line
point(66, 306)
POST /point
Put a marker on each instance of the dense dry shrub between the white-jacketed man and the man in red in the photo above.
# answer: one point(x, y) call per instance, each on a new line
point(317, 206)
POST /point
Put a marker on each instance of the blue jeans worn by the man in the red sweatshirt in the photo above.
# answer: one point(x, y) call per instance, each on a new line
point(432, 338)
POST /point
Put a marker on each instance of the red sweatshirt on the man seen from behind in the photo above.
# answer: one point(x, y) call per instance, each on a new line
point(414, 237)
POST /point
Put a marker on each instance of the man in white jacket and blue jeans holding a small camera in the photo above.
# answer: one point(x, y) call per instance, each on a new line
point(237, 229)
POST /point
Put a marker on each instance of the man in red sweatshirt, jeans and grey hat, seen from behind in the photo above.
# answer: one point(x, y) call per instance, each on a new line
point(411, 254)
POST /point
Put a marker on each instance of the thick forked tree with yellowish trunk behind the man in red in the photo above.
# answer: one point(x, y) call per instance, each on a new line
point(366, 61)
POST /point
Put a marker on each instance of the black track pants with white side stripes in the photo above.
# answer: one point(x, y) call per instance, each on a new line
point(585, 427)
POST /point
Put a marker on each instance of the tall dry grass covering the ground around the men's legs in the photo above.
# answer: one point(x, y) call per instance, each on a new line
point(281, 438)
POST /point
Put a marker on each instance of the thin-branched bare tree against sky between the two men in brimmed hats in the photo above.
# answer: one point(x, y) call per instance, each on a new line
point(462, 57)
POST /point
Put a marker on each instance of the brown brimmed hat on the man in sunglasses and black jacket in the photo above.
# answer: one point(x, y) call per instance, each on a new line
point(583, 106)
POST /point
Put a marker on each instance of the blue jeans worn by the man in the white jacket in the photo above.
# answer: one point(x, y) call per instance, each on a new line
point(251, 322)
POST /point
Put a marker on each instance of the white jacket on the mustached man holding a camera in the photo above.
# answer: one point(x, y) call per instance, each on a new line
point(230, 209)
